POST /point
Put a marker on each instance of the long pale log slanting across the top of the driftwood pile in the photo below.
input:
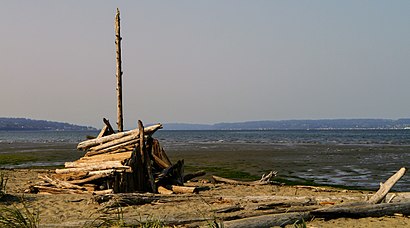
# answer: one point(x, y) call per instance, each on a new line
point(93, 142)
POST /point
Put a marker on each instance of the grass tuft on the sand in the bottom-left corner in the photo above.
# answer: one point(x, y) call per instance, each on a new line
point(15, 217)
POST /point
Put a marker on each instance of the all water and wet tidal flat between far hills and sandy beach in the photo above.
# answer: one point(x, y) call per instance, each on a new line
point(360, 158)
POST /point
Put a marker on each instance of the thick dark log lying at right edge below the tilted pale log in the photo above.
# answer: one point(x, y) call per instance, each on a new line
point(361, 210)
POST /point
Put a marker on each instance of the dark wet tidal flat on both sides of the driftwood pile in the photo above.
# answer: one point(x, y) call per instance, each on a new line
point(349, 166)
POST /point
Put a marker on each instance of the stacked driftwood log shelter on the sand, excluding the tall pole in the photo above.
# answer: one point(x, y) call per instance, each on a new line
point(131, 161)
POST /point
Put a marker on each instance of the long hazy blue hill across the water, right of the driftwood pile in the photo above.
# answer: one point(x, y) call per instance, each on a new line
point(297, 125)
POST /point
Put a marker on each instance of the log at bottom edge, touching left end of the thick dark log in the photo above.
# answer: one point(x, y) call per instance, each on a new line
point(268, 220)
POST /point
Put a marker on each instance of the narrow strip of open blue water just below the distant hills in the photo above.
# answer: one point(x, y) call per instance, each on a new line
point(366, 137)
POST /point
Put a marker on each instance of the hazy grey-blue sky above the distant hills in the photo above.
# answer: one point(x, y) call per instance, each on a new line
point(205, 61)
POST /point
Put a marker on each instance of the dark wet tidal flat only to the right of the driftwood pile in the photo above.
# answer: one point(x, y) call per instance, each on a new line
point(357, 166)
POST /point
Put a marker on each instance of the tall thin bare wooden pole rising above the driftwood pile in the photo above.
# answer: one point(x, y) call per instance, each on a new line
point(118, 39)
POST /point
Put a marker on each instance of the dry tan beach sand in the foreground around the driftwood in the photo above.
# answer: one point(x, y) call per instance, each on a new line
point(66, 210)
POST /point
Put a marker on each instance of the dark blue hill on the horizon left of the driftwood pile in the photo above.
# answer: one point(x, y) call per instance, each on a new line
point(23, 124)
